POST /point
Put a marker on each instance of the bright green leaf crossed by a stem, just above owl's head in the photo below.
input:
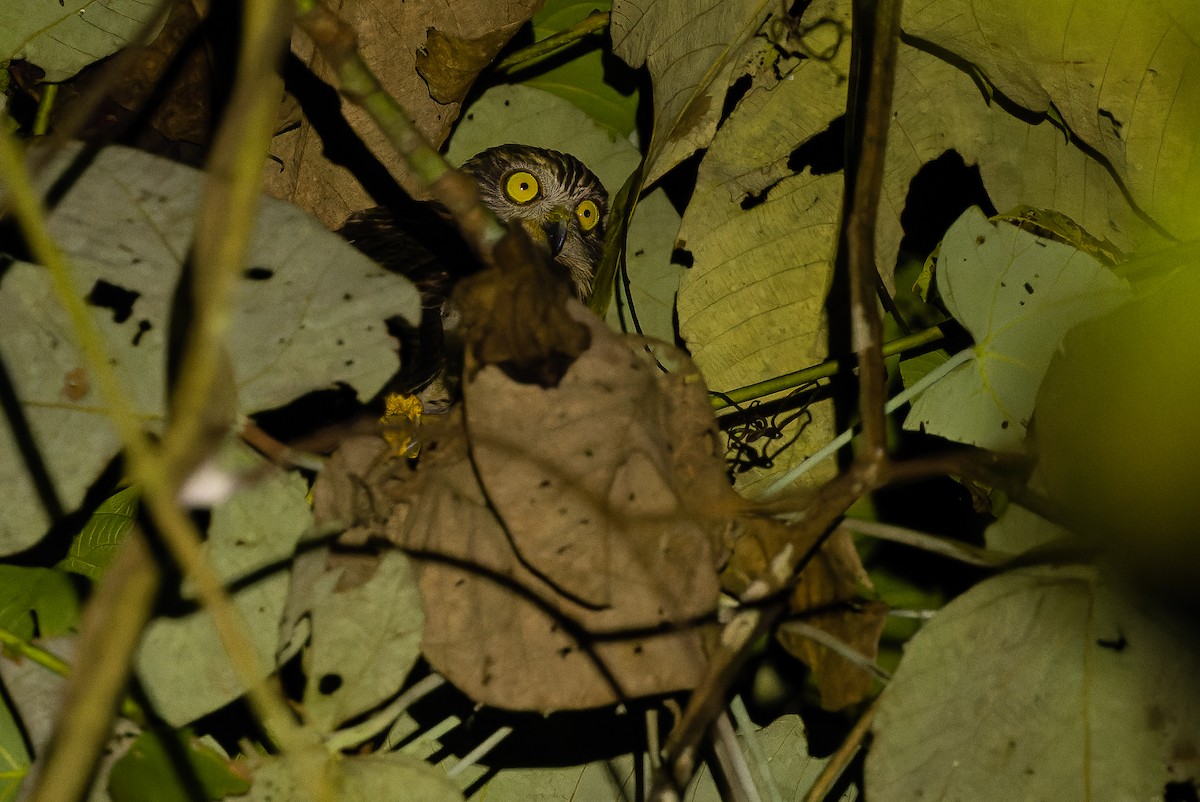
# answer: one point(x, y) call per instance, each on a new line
point(583, 80)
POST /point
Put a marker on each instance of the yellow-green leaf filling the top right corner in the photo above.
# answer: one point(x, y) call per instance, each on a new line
point(1121, 74)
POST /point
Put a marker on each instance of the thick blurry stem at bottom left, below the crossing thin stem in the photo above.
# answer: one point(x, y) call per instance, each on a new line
point(110, 633)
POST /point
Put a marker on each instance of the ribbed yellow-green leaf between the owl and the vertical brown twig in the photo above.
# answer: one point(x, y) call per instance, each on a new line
point(763, 241)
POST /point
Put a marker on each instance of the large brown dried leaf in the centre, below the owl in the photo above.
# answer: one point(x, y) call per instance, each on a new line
point(602, 514)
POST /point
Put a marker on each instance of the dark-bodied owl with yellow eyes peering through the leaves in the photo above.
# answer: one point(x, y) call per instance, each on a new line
point(553, 196)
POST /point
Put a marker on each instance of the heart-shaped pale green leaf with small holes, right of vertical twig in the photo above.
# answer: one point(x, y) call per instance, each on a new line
point(1018, 295)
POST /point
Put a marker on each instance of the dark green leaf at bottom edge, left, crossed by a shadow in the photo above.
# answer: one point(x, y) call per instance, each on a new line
point(148, 773)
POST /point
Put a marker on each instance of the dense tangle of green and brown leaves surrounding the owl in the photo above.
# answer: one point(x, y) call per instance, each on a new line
point(583, 548)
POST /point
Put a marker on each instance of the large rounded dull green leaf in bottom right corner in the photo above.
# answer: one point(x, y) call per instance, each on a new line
point(1043, 684)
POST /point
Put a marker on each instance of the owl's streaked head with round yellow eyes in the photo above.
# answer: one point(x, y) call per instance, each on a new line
point(554, 196)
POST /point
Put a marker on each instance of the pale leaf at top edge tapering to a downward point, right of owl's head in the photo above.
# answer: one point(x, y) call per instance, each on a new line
point(693, 49)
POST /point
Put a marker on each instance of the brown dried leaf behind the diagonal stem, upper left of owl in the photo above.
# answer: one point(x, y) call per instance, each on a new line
point(392, 37)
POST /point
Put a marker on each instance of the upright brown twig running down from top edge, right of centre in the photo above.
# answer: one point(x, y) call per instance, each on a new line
point(877, 29)
